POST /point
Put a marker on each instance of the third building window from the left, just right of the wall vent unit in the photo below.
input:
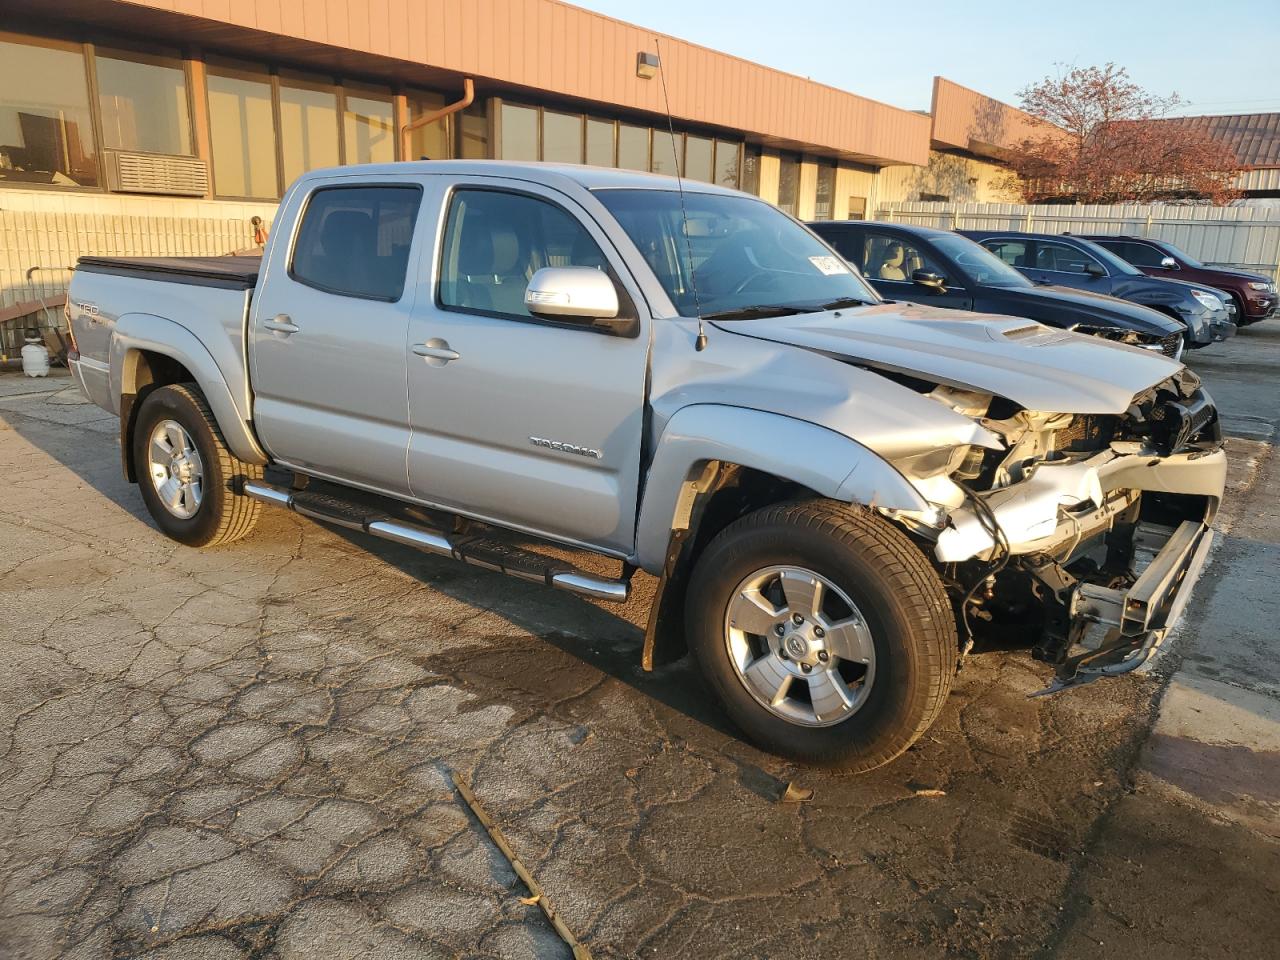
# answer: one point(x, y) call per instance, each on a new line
point(243, 132)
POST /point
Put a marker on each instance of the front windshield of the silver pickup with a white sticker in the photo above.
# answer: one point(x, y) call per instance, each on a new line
point(738, 255)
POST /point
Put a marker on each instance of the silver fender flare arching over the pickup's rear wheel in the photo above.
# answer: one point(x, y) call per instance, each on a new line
point(145, 332)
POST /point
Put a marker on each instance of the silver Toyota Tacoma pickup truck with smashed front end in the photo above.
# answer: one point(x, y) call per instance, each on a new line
point(839, 495)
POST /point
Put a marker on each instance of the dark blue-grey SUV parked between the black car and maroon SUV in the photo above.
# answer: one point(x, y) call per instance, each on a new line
point(1072, 262)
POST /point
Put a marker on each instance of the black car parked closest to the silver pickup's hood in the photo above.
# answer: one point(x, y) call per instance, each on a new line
point(944, 269)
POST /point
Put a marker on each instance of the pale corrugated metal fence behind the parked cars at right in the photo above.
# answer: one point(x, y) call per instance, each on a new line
point(1220, 236)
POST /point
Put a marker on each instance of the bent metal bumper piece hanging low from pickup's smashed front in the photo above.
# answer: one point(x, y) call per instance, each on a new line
point(1141, 618)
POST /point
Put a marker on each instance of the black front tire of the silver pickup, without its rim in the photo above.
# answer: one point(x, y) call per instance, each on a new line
point(895, 589)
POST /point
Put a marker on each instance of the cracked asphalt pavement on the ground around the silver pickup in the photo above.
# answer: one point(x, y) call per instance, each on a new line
point(246, 753)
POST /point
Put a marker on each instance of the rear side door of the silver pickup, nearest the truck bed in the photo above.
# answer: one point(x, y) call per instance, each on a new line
point(328, 335)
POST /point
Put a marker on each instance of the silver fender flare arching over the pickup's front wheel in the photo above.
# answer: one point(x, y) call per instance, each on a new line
point(822, 460)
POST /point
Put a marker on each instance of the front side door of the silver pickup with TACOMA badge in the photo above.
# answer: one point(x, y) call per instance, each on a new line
point(529, 423)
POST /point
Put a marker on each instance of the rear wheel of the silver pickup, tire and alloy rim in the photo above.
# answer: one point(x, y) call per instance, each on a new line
point(186, 473)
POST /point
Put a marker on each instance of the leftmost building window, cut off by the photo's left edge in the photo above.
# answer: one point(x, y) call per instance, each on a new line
point(47, 135)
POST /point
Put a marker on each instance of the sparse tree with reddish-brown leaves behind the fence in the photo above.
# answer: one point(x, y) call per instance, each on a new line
point(1105, 140)
